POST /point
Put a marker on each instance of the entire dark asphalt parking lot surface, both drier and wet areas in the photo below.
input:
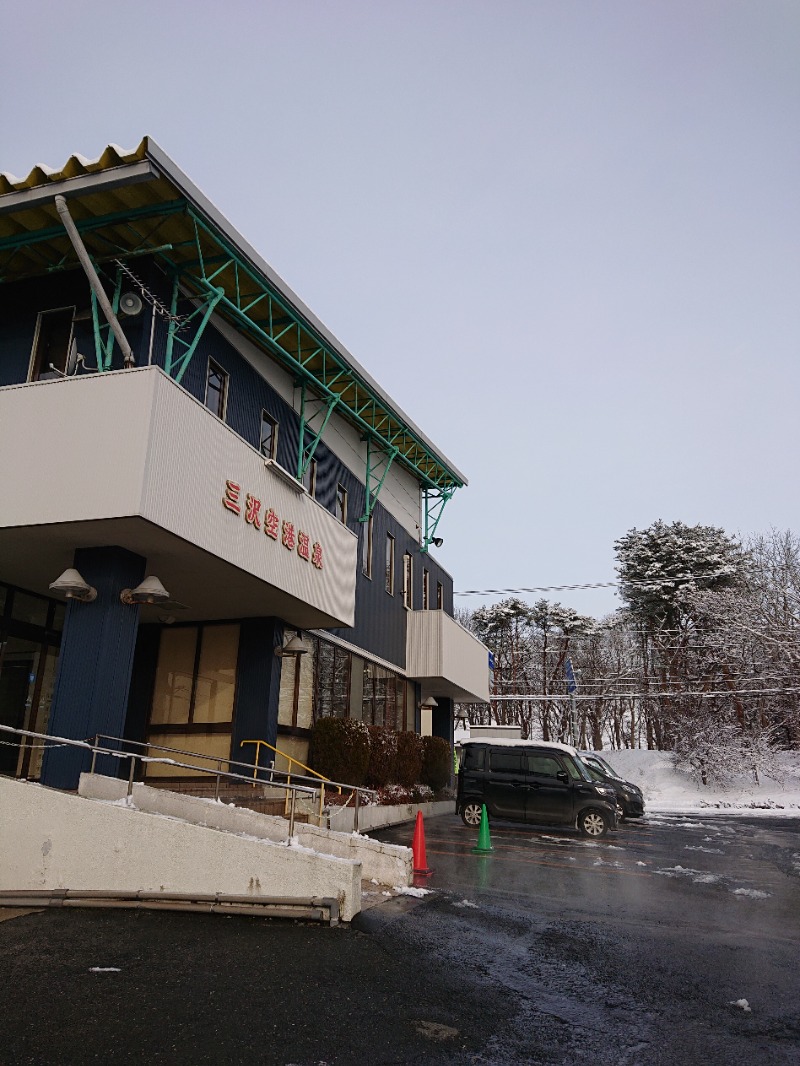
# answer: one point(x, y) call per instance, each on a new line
point(676, 942)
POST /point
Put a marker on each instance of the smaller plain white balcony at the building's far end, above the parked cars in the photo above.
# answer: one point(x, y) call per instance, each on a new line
point(446, 659)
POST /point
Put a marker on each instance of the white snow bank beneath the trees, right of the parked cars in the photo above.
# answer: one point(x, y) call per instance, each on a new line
point(668, 788)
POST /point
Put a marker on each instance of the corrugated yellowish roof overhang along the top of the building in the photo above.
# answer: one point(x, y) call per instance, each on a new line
point(134, 203)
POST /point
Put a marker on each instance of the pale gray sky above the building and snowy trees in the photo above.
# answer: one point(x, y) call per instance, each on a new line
point(565, 236)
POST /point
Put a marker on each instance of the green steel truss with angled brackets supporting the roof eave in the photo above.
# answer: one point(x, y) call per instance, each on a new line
point(211, 274)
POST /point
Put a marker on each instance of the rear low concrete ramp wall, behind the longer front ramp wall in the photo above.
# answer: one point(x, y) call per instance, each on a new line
point(387, 864)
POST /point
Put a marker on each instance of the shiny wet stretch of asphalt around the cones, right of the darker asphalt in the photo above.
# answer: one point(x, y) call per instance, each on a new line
point(676, 941)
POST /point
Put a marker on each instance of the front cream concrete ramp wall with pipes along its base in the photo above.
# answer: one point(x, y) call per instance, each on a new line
point(52, 841)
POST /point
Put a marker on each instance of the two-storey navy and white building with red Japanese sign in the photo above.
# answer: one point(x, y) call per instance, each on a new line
point(179, 429)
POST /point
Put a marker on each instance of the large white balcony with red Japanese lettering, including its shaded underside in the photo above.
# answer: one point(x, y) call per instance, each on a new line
point(131, 459)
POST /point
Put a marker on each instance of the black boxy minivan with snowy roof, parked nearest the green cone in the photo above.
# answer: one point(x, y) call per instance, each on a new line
point(532, 782)
